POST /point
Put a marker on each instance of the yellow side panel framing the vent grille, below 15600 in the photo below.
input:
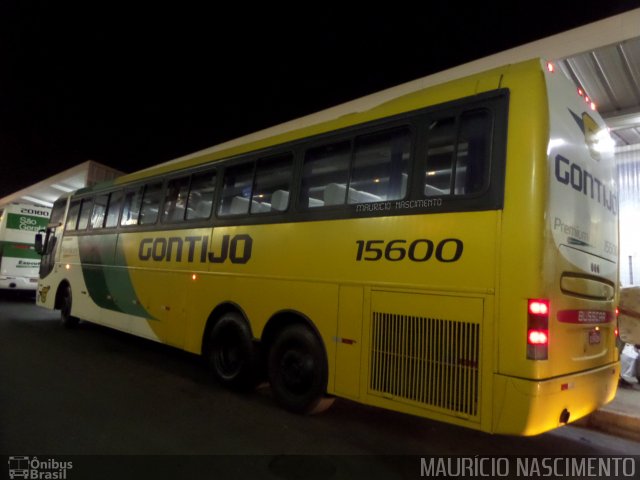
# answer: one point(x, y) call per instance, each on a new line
point(429, 355)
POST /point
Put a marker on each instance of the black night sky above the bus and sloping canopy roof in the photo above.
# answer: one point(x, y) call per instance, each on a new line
point(133, 87)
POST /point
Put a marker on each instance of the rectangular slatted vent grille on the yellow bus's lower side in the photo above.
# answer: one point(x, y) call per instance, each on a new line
point(426, 360)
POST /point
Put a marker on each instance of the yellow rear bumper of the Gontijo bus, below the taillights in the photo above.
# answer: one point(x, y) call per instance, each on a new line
point(530, 407)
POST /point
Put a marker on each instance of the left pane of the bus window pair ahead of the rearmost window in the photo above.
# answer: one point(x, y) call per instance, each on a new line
point(325, 175)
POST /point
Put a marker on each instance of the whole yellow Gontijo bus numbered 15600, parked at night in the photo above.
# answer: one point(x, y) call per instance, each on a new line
point(449, 252)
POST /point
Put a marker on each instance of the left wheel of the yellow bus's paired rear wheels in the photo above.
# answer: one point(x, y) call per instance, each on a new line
point(231, 354)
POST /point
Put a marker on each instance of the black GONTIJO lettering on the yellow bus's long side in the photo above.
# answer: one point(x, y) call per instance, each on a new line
point(233, 248)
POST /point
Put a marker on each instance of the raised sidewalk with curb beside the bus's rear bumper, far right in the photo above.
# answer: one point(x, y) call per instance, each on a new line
point(620, 417)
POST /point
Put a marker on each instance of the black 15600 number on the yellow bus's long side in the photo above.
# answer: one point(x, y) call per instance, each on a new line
point(420, 250)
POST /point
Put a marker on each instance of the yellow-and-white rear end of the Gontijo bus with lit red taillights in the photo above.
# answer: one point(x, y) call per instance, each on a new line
point(567, 364)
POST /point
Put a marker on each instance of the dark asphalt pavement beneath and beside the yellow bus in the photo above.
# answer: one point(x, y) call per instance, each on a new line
point(98, 392)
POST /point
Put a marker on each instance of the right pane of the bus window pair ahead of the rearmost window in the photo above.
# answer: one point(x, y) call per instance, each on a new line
point(380, 167)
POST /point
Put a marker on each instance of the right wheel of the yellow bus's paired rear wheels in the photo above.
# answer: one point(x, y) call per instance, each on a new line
point(297, 370)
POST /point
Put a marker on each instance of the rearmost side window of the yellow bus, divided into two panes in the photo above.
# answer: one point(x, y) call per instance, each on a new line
point(458, 155)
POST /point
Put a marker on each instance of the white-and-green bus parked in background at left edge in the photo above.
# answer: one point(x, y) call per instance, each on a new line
point(19, 262)
